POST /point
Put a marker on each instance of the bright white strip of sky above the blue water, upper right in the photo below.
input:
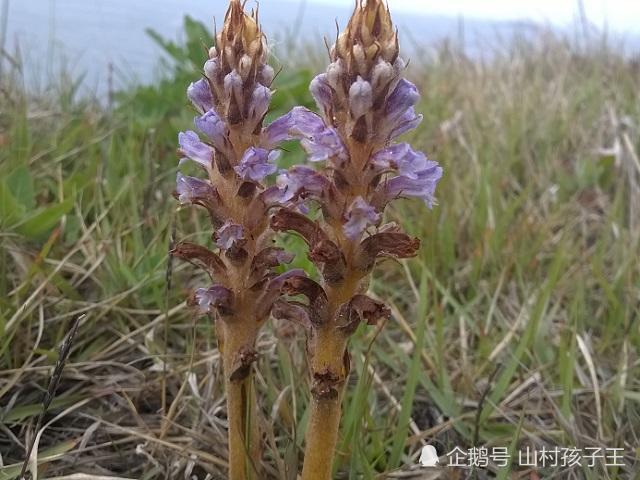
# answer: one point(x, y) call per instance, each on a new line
point(618, 15)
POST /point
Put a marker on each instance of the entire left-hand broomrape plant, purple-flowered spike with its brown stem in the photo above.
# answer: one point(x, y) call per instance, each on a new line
point(236, 152)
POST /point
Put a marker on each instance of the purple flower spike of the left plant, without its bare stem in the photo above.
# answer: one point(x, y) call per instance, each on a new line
point(236, 153)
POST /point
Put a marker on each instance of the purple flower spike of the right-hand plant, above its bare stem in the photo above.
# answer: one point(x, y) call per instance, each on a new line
point(365, 105)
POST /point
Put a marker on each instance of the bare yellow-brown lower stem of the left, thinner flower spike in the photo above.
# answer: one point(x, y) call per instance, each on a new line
point(244, 433)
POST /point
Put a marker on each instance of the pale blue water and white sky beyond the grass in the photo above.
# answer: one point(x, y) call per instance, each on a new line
point(91, 37)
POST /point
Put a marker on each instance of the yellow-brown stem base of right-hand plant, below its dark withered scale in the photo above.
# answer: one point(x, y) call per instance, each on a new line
point(322, 437)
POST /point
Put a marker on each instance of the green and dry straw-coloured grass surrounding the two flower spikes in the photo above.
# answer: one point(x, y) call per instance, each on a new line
point(517, 325)
